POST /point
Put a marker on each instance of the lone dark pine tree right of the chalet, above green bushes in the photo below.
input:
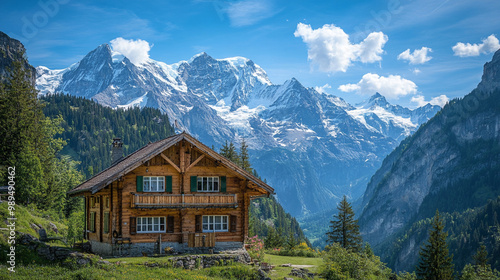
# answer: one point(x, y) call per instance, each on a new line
point(344, 228)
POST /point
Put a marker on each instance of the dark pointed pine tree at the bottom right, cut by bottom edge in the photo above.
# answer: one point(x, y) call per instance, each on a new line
point(435, 261)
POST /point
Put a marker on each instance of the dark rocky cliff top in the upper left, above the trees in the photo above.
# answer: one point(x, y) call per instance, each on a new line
point(12, 50)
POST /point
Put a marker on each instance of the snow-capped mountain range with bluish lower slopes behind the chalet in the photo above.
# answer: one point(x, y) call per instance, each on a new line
point(311, 147)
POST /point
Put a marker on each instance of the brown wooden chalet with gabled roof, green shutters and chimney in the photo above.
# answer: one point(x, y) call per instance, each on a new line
point(174, 194)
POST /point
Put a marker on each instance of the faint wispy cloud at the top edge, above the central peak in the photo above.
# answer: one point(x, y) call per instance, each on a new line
point(248, 12)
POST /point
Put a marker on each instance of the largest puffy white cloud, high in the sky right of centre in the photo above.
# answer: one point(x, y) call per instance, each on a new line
point(330, 49)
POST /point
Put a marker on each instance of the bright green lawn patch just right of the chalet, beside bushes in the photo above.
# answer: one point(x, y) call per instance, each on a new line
point(280, 272)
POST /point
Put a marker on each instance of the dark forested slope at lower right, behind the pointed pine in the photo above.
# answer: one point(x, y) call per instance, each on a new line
point(467, 231)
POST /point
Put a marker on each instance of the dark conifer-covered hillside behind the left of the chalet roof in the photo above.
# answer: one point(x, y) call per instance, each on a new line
point(89, 129)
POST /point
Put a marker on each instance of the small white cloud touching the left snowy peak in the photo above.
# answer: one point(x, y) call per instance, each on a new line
point(137, 51)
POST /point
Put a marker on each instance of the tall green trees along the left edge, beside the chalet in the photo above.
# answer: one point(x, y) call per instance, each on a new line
point(28, 144)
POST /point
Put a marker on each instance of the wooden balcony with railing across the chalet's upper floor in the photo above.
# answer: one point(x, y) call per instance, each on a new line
point(199, 200)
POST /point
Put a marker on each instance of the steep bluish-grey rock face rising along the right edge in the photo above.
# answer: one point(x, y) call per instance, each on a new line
point(459, 144)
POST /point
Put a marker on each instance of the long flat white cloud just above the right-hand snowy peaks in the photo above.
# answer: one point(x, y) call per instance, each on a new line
point(391, 87)
